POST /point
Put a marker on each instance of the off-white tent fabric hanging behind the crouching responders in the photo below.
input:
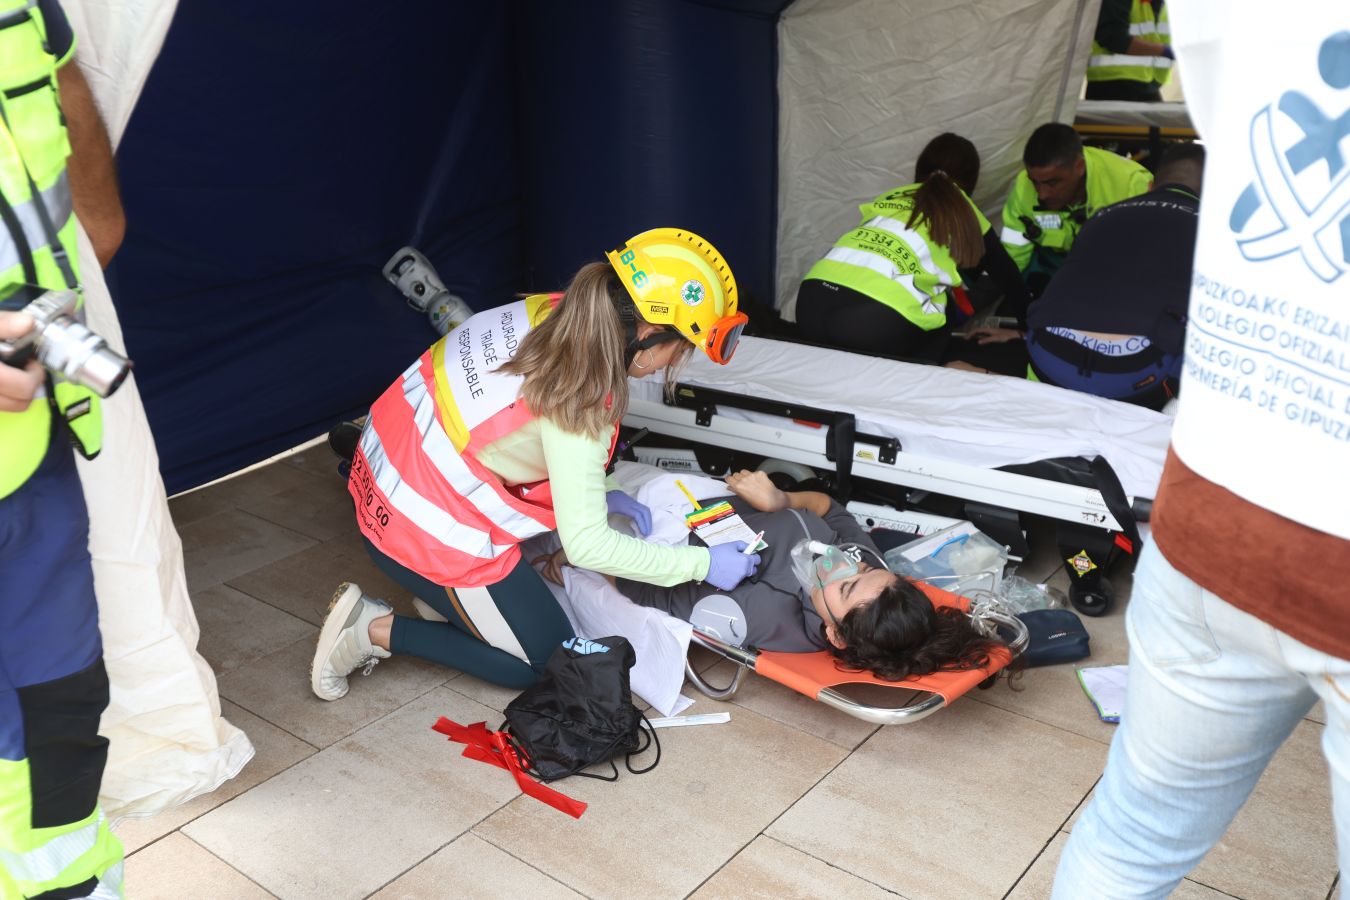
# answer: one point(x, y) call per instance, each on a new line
point(865, 84)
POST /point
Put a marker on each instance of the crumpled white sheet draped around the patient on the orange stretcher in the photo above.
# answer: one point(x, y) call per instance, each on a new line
point(596, 609)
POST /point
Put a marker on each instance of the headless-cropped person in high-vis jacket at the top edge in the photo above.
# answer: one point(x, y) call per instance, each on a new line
point(1132, 52)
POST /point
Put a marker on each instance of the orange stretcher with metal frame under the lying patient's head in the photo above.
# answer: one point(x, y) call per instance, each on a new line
point(817, 675)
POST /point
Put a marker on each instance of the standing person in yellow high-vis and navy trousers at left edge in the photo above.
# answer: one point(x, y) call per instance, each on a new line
point(55, 841)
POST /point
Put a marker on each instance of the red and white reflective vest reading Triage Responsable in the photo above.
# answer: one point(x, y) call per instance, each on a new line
point(422, 496)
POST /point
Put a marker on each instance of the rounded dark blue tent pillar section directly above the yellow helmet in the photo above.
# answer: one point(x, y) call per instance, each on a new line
point(651, 113)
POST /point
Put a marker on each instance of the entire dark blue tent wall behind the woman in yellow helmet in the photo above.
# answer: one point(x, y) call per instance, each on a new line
point(281, 153)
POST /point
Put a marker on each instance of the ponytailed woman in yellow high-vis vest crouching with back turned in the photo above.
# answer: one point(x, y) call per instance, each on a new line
point(882, 289)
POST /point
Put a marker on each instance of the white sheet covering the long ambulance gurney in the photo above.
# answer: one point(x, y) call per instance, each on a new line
point(944, 414)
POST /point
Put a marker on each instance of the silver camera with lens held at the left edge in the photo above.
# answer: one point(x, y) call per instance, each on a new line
point(63, 343)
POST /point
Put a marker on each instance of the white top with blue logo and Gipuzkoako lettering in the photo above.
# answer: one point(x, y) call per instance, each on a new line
point(1266, 392)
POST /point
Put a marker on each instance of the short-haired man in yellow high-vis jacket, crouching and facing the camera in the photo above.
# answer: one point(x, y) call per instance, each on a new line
point(1063, 184)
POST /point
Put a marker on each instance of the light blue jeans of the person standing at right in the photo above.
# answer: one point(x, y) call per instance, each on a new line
point(1213, 693)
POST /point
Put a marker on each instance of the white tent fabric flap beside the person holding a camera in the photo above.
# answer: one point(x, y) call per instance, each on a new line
point(169, 743)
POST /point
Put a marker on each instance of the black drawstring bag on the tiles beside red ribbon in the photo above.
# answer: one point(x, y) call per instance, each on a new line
point(581, 713)
